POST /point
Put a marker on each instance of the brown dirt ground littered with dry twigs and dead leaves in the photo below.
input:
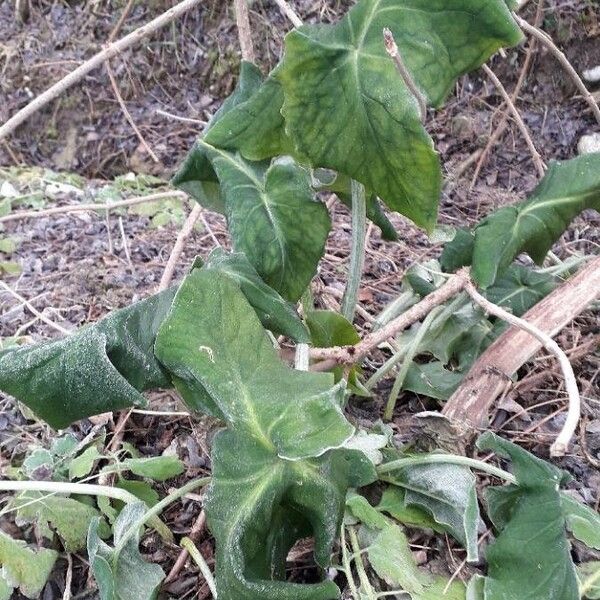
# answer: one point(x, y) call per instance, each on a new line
point(76, 268)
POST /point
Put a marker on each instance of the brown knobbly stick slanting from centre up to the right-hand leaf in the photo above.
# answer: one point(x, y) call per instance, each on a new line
point(352, 354)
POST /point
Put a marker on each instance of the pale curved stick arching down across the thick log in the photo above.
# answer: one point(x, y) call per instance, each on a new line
point(560, 446)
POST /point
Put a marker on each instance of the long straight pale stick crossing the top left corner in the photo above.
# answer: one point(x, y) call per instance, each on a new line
point(109, 52)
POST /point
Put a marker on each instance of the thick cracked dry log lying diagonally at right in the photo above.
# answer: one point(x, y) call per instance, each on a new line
point(472, 402)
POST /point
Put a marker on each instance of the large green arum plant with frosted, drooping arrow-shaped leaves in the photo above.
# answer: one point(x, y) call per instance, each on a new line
point(335, 115)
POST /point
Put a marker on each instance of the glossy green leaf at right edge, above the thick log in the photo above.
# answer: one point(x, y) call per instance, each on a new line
point(533, 226)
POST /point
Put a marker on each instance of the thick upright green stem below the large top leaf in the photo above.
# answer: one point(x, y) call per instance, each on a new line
point(357, 259)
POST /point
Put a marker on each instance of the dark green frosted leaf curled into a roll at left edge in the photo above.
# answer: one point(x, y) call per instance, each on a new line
point(101, 368)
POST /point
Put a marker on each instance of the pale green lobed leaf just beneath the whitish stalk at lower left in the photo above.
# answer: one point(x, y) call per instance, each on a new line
point(67, 516)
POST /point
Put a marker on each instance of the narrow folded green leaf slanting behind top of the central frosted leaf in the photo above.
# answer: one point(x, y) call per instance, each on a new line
point(273, 311)
